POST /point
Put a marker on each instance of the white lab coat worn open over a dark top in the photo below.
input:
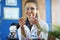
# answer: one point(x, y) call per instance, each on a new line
point(33, 33)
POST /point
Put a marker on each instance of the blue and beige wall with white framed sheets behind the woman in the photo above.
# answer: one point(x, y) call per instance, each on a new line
point(49, 11)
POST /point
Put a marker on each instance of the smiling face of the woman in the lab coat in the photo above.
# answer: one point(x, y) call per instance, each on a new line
point(30, 9)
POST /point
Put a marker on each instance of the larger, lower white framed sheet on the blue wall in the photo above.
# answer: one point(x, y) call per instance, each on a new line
point(11, 13)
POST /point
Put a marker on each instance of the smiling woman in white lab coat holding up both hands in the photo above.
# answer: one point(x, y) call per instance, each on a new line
point(31, 27)
